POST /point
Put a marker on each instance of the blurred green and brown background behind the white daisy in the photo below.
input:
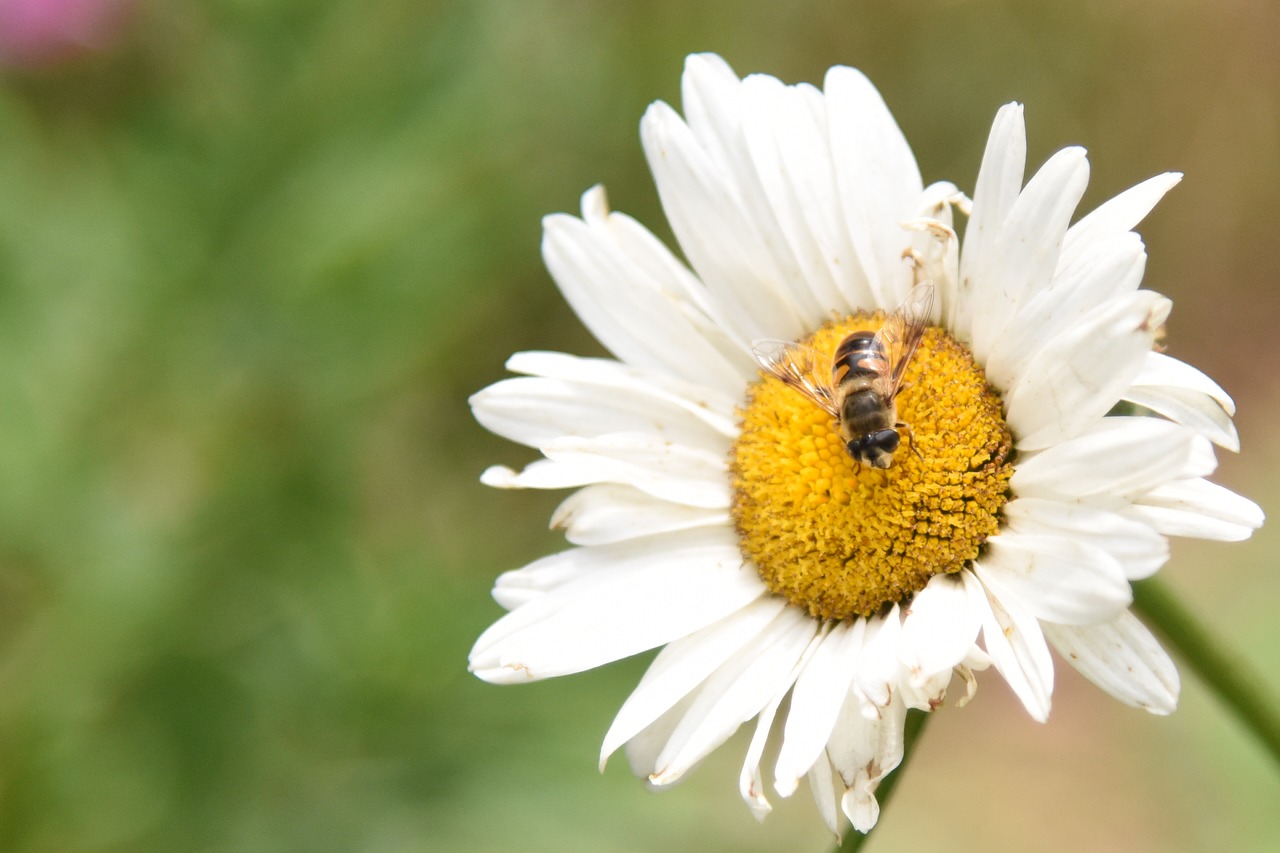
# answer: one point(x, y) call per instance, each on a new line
point(255, 257)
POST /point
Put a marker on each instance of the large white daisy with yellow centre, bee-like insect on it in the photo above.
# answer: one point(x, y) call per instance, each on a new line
point(719, 514)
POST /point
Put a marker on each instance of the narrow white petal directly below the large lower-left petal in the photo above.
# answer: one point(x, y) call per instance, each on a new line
point(683, 665)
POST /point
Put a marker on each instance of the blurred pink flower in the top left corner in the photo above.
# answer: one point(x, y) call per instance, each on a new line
point(43, 33)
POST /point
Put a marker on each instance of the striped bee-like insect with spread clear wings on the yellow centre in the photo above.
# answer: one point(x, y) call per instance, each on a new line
point(858, 384)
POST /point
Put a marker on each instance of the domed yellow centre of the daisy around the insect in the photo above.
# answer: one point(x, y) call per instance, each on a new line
point(844, 542)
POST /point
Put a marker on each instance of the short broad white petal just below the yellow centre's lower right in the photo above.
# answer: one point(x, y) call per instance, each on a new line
point(939, 630)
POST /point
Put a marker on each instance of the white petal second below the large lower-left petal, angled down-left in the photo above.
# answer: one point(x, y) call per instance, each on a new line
point(735, 694)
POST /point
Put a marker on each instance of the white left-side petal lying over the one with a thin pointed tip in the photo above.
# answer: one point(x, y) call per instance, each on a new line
point(652, 464)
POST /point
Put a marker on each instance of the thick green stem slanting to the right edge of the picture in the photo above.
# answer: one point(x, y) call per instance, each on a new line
point(1240, 690)
